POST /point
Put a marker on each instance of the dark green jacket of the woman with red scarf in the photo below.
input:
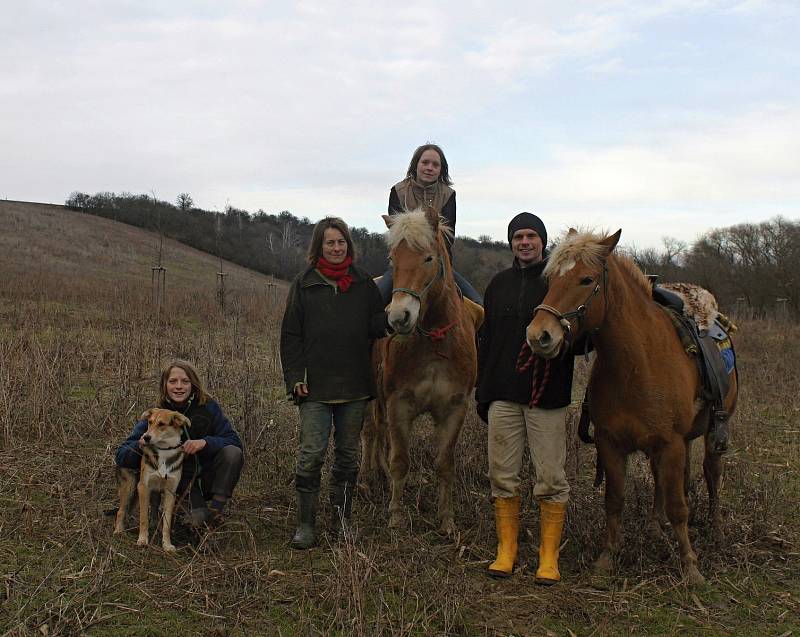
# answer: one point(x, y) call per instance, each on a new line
point(326, 336)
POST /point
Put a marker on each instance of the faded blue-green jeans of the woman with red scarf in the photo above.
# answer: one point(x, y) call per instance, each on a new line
point(316, 422)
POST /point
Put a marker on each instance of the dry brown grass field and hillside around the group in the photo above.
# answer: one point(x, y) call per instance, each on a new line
point(80, 349)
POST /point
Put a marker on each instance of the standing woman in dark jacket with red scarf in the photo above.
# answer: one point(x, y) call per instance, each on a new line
point(333, 313)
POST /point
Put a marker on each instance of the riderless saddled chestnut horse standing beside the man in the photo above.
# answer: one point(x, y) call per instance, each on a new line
point(645, 390)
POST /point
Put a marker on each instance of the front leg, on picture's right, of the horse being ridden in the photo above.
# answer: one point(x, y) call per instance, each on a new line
point(449, 420)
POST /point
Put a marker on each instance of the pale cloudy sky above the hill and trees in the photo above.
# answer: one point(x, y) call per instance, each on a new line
point(665, 119)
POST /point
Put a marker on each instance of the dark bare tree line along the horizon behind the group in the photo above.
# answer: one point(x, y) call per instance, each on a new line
point(748, 267)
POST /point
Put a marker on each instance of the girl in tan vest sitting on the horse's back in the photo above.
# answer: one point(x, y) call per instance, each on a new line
point(427, 183)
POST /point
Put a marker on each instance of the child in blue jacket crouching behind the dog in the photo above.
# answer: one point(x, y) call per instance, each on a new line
point(212, 444)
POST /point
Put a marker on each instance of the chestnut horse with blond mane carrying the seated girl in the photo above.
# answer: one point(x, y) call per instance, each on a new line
point(429, 364)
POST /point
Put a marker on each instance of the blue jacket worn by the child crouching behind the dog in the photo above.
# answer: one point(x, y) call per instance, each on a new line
point(208, 423)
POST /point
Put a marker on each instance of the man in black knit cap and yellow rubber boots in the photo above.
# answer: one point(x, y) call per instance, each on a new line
point(523, 406)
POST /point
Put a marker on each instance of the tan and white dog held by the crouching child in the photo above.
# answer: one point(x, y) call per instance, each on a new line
point(162, 462)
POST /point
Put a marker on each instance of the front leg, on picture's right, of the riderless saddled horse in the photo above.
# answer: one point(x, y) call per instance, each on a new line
point(671, 463)
